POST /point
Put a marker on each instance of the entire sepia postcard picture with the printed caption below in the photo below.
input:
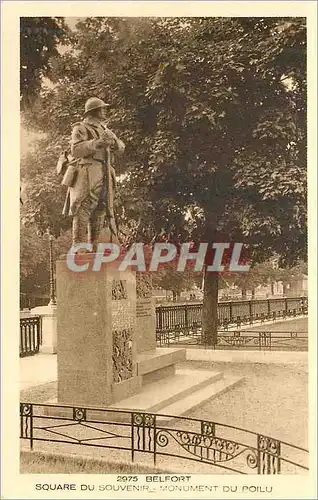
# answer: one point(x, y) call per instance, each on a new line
point(164, 271)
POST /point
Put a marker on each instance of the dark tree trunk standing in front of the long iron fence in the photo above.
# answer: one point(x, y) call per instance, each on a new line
point(210, 308)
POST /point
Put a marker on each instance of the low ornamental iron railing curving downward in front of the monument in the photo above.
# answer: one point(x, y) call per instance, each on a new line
point(204, 444)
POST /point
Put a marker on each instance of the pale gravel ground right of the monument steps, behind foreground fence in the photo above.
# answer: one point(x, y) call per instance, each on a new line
point(273, 399)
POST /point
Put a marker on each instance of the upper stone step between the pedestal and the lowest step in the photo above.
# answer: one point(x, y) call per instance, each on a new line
point(157, 395)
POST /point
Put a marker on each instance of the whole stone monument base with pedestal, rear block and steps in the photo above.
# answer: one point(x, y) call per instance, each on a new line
point(106, 348)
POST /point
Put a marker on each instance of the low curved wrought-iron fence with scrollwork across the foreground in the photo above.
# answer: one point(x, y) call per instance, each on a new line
point(218, 445)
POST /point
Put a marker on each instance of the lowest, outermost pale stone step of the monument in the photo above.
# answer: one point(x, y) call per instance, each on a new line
point(185, 405)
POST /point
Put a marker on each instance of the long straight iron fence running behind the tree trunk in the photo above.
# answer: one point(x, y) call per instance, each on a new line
point(188, 317)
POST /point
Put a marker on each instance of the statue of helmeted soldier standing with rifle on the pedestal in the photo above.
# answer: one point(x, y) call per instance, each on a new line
point(90, 196)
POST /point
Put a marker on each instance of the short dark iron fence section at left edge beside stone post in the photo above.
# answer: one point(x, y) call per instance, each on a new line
point(30, 335)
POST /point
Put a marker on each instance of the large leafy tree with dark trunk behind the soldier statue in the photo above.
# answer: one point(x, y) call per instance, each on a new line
point(213, 112)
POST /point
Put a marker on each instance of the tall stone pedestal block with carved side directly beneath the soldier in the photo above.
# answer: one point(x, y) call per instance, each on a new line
point(96, 345)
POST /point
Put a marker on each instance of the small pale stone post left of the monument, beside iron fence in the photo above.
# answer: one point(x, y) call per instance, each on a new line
point(49, 328)
